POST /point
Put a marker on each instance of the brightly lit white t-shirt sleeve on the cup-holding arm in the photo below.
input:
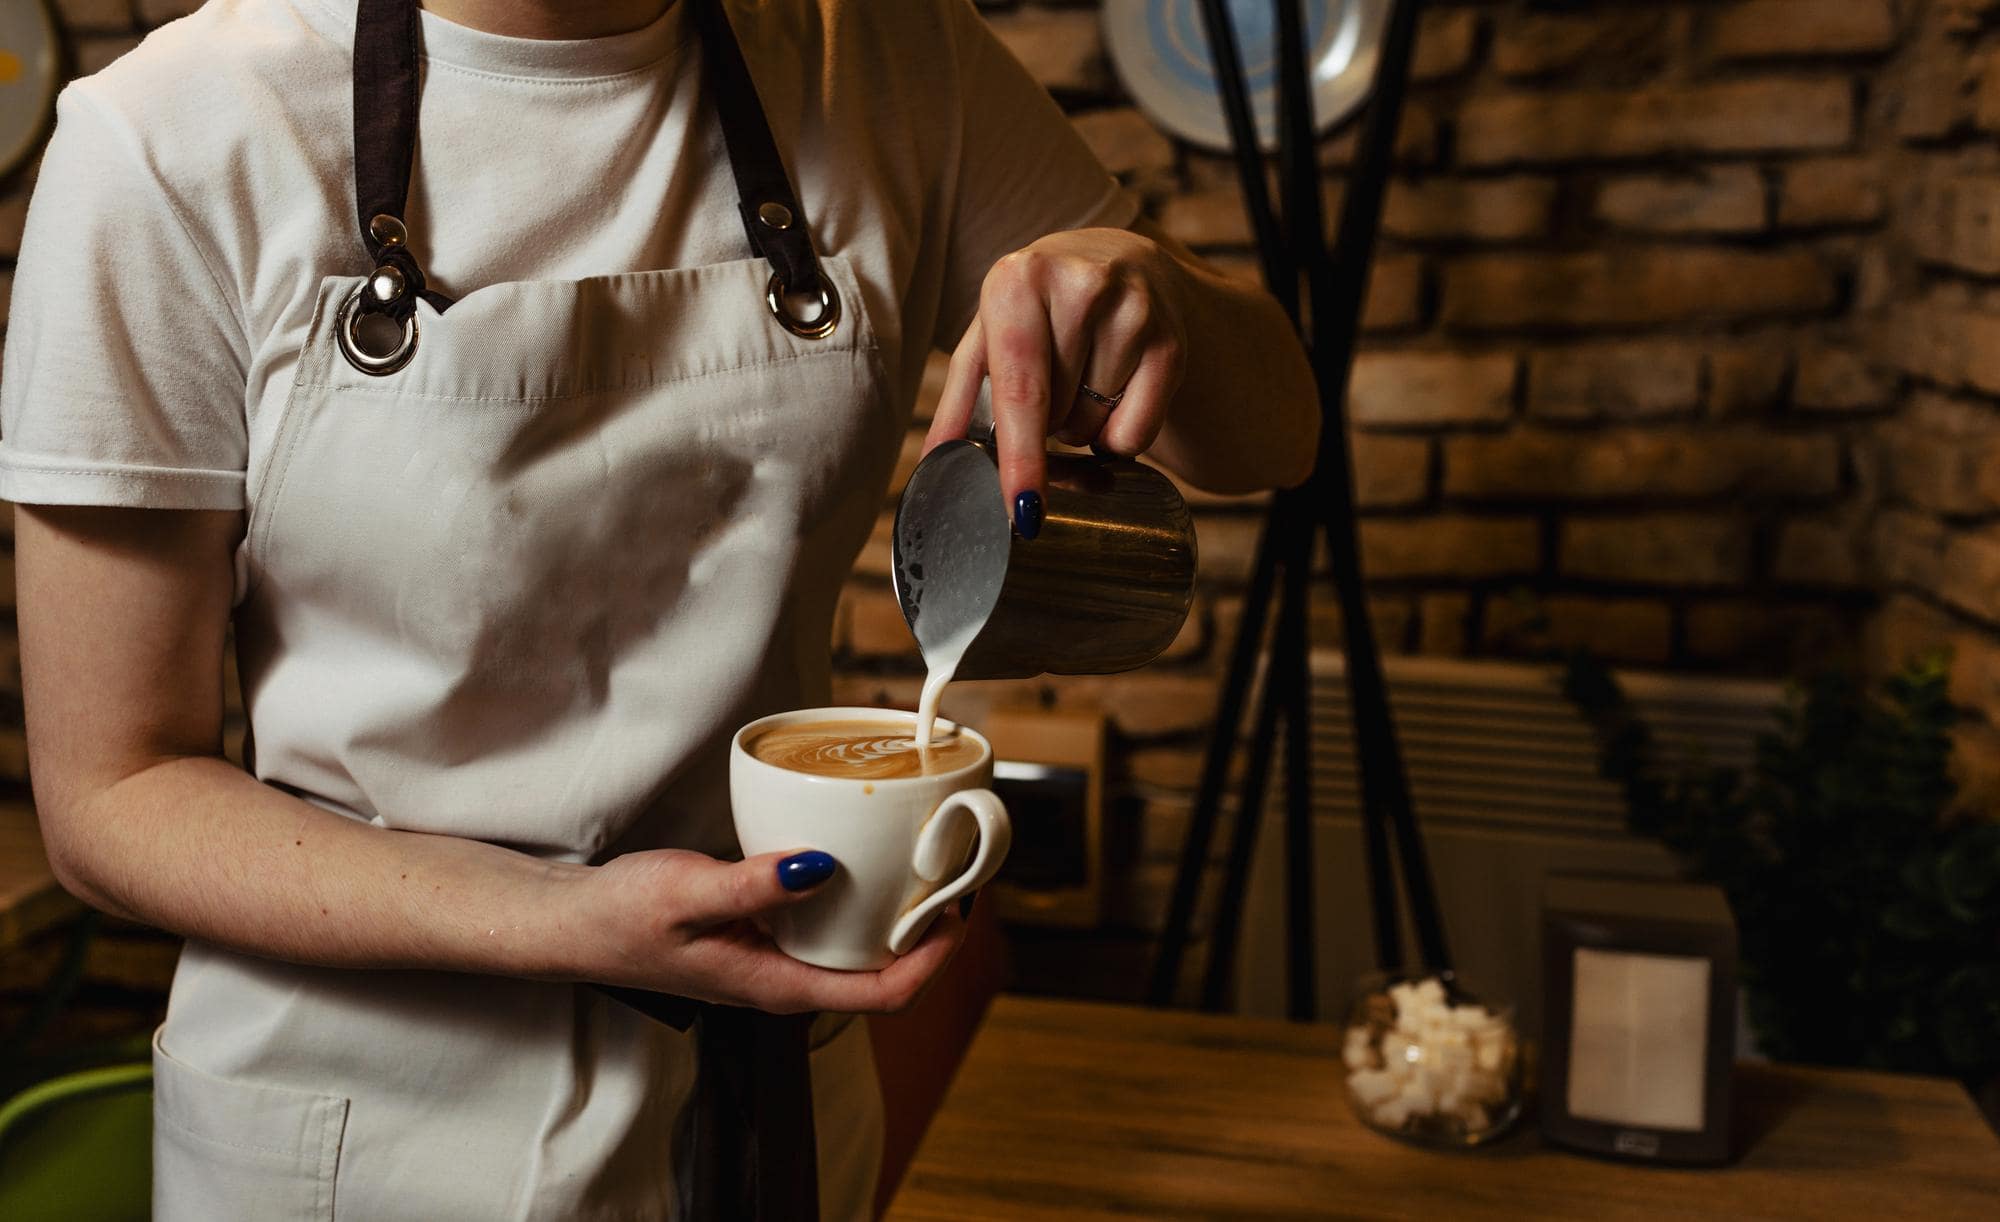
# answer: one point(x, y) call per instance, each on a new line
point(123, 381)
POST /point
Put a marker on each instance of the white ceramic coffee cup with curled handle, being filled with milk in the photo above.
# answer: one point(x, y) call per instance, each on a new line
point(903, 845)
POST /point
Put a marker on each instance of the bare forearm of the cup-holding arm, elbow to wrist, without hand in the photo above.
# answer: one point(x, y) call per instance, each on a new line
point(201, 849)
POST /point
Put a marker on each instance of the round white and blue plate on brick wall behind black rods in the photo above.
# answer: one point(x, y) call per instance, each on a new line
point(1161, 53)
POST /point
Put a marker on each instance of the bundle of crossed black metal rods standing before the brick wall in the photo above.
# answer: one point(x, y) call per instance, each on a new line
point(1337, 291)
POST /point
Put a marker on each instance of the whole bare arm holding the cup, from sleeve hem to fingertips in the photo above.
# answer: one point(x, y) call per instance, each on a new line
point(123, 621)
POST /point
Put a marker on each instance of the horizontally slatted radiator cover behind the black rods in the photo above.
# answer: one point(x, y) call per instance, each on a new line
point(1505, 783)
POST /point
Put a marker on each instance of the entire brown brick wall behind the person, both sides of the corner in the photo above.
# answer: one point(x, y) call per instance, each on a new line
point(1683, 345)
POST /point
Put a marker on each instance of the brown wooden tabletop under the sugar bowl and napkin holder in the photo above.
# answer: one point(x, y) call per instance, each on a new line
point(1085, 1111)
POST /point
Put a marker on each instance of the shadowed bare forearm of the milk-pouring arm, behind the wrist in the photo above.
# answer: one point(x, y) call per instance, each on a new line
point(1247, 413)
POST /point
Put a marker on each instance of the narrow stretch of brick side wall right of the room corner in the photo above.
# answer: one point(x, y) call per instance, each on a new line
point(1931, 537)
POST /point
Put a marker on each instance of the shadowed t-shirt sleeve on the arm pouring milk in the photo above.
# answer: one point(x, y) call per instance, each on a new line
point(1023, 171)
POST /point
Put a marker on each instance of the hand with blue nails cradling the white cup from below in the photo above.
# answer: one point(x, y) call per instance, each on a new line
point(683, 923)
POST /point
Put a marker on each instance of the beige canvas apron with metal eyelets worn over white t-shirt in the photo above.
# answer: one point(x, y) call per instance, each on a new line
point(523, 589)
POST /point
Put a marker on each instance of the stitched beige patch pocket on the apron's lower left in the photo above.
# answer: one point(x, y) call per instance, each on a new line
point(227, 1149)
